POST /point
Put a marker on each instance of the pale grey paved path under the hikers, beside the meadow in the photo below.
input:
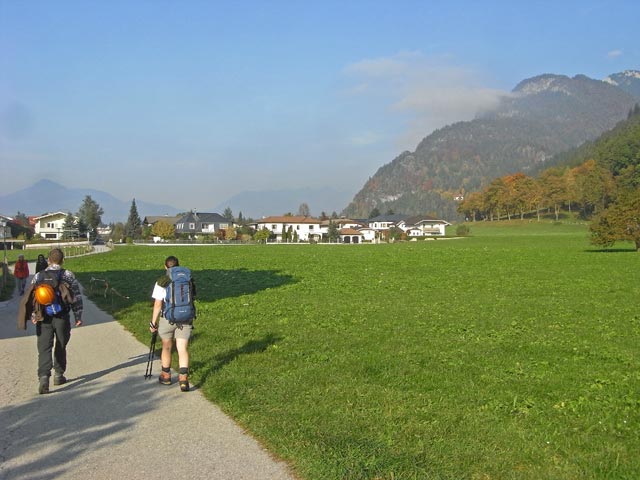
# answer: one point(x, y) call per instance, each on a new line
point(108, 422)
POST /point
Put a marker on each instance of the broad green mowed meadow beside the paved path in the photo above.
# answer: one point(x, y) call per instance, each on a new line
point(511, 354)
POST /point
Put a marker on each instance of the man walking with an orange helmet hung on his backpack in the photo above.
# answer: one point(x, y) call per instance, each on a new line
point(52, 318)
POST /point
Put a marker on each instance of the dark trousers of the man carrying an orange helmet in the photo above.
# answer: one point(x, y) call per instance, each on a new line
point(46, 331)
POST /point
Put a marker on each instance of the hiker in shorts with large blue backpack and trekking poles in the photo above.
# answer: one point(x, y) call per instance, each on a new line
point(172, 318)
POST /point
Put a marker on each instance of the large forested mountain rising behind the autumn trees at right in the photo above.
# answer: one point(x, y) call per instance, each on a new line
point(542, 117)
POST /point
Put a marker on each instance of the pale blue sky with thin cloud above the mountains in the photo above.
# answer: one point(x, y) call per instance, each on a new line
point(189, 103)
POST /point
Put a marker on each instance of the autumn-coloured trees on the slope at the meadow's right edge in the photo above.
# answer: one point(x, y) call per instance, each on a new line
point(599, 181)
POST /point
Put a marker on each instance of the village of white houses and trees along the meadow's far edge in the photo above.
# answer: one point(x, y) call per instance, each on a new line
point(203, 227)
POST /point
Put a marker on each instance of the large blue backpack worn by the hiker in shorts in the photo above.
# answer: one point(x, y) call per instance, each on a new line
point(178, 302)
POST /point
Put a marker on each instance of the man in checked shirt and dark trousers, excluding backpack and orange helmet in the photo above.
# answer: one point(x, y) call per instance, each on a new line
point(56, 326)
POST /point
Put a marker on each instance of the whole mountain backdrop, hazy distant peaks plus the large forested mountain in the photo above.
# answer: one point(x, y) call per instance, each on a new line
point(542, 118)
